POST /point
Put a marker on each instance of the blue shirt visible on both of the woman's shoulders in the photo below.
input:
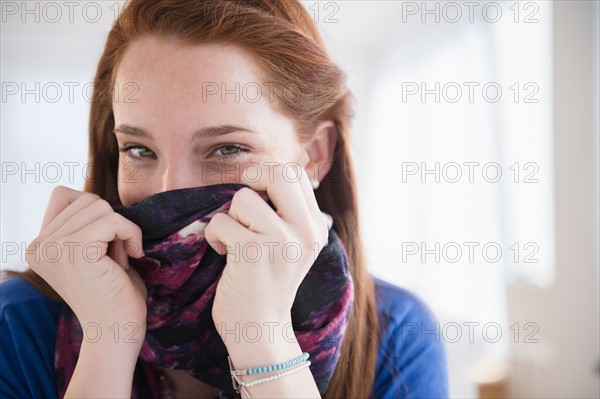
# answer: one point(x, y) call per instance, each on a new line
point(411, 360)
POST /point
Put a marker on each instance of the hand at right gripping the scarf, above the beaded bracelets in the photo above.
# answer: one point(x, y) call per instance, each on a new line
point(268, 252)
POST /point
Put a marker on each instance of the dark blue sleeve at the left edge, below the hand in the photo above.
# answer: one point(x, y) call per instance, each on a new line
point(27, 340)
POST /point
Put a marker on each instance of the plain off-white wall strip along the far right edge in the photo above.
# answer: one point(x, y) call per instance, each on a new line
point(566, 362)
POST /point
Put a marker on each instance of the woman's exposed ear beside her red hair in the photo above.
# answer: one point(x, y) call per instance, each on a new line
point(320, 149)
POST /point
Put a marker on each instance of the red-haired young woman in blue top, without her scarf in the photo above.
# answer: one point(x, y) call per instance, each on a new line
point(217, 86)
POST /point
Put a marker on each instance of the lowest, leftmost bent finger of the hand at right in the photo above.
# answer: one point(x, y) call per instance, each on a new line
point(223, 232)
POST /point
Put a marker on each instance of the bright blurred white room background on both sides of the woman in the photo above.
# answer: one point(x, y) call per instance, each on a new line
point(476, 146)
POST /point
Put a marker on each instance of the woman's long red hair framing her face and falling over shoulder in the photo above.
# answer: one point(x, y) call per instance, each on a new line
point(284, 41)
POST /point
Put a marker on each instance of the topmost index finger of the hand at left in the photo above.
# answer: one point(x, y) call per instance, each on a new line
point(64, 203)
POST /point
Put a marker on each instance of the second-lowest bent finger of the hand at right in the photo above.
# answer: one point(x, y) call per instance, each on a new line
point(249, 209)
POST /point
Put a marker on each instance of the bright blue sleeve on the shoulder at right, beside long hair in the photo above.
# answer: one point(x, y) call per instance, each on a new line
point(411, 359)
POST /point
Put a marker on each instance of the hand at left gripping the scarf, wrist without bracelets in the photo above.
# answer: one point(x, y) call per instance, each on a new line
point(81, 252)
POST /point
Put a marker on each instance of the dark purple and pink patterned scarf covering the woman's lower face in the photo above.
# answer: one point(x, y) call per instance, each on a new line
point(181, 272)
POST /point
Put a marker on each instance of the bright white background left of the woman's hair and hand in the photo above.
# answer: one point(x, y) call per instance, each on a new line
point(48, 64)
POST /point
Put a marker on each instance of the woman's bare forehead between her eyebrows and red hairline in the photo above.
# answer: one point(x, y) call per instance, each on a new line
point(161, 80)
